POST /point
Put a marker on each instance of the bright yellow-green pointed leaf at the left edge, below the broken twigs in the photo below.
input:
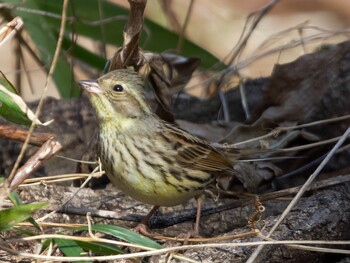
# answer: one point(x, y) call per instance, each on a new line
point(12, 216)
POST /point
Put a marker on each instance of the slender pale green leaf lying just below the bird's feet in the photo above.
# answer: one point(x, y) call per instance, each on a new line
point(124, 234)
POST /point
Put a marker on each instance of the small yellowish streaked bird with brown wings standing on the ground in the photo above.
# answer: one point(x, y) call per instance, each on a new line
point(149, 159)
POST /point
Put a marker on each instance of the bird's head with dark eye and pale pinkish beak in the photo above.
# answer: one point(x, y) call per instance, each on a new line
point(117, 96)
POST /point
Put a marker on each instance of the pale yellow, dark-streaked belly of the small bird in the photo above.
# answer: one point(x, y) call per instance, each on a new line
point(144, 182)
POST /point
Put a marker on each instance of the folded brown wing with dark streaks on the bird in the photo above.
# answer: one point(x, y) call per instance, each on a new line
point(194, 152)
